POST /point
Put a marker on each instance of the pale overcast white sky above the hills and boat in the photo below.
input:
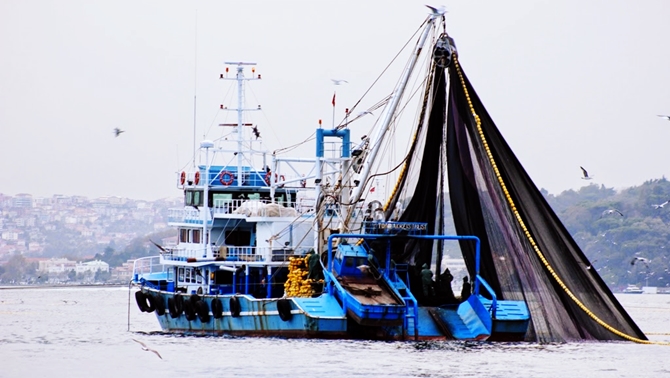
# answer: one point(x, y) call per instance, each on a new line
point(569, 83)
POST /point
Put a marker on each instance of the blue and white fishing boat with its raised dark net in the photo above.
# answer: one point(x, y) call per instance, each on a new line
point(272, 245)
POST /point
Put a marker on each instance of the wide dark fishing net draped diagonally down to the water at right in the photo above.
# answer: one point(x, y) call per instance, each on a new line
point(510, 262)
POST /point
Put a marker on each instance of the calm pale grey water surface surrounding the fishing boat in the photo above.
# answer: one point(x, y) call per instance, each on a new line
point(83, 332)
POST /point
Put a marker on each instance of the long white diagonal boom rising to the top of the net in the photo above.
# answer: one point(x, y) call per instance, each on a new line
point(396, 96)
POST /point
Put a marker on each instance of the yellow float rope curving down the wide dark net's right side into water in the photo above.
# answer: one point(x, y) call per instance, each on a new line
point(527, 232)
